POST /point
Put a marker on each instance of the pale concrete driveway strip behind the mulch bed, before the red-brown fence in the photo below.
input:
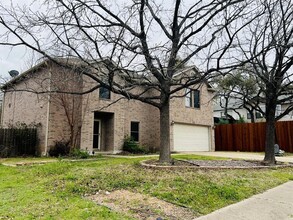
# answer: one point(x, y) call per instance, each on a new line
point(241, 155)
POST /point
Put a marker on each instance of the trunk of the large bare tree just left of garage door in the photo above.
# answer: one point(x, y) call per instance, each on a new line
point(165, 153)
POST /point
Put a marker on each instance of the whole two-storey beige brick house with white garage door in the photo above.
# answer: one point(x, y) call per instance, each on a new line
point(101, 119)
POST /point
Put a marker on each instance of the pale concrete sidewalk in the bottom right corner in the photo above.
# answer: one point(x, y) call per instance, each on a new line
point(274, 204)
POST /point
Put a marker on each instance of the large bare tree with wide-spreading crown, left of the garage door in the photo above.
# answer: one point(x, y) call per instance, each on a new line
point(138, 42)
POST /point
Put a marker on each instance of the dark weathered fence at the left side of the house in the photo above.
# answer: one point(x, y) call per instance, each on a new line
point(18, 141)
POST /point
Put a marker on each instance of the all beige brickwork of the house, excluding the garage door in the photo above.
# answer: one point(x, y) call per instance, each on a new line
point(115, 115)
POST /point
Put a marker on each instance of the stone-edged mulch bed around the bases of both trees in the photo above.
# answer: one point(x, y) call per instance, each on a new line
point(213, 164)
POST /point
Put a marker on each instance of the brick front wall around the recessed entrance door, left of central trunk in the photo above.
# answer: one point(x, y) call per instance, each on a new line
point(124, 111)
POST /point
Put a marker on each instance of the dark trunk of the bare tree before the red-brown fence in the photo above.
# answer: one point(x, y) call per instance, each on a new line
point(270, 133)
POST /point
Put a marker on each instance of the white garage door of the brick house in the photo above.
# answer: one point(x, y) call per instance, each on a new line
point(191, 138)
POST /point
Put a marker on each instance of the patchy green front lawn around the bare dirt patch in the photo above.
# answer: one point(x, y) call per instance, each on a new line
point(56, 190)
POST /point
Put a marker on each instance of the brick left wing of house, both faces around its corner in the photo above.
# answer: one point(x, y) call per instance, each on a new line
point(45, 109)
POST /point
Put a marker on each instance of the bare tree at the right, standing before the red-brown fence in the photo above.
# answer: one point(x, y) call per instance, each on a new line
point(270, 43)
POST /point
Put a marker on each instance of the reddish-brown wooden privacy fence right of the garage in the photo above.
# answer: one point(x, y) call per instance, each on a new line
point(251, 136)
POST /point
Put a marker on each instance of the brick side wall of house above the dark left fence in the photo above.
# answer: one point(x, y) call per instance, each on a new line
point(27, 107)
